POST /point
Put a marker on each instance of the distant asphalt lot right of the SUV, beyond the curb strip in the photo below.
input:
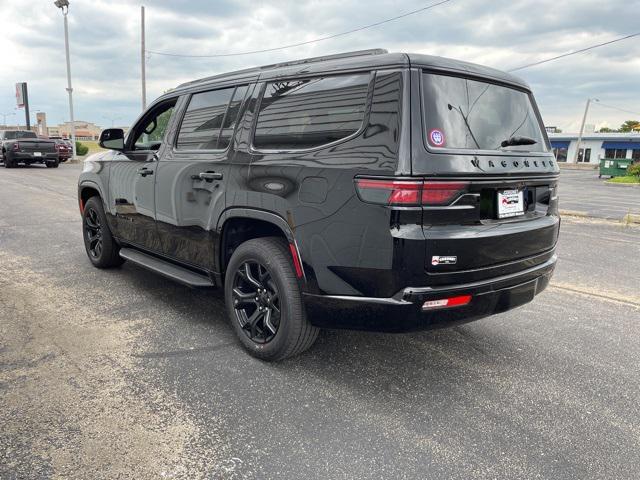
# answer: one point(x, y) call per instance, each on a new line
point(582, 192)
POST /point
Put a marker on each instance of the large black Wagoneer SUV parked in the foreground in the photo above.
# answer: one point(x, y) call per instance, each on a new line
point(368, 190)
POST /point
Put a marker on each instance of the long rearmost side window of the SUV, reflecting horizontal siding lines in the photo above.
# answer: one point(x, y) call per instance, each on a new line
point(307, 113)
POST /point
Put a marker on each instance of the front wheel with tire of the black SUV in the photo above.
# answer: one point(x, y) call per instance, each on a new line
point(99, 244)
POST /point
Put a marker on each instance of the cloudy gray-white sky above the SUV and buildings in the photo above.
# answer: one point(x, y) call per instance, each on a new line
point(105, 48)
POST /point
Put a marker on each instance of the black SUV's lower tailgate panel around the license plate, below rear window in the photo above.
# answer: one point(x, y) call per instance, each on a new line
point(466, 240)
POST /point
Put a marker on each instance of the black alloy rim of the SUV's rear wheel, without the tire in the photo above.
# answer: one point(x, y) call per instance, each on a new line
point(256, 302)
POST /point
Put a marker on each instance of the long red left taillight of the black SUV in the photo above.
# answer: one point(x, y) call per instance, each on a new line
point(408, 192)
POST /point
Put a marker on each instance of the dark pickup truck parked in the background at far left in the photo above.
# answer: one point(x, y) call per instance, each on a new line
point(24, 146)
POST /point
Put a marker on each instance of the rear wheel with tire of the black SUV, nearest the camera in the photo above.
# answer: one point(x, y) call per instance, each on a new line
point(269, 263)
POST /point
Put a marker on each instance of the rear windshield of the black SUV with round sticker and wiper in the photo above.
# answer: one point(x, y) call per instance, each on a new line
point(461, 113)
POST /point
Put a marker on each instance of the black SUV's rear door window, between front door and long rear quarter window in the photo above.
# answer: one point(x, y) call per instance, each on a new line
point(206, 115)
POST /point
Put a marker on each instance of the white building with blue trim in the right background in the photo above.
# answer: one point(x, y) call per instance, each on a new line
point(595, 146)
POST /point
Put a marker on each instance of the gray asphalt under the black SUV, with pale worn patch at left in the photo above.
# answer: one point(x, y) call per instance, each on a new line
point(123, 374)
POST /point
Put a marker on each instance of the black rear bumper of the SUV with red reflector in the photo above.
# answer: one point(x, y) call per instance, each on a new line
point(403, 312)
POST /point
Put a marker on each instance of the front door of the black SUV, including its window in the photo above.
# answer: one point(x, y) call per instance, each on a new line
point(132, 179)
